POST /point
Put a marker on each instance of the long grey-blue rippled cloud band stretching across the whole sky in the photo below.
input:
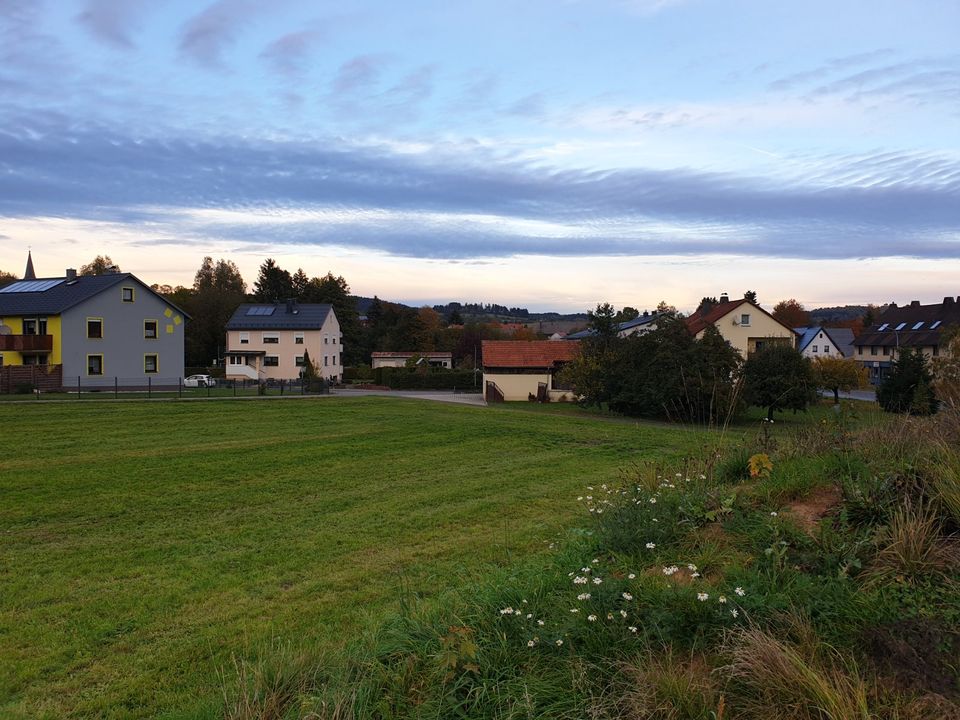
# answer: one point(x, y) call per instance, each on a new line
point(462, 202)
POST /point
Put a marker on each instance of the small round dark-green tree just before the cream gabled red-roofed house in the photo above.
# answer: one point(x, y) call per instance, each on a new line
point(778, 377)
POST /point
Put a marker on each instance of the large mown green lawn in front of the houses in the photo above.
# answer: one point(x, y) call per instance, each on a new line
point(145, 544)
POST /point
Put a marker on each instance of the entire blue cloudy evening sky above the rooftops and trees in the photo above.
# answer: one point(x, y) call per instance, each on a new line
point(549, 154)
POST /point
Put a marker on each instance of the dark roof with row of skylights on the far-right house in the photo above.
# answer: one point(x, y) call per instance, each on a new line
point(912, 325)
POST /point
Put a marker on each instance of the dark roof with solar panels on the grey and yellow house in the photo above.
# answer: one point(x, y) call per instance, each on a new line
point(54, 296)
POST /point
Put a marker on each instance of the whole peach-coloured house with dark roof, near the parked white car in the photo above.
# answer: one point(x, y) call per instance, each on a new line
point(268, 341)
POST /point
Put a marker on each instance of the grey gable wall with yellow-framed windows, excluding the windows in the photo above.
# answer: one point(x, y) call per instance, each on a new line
point(123, 345)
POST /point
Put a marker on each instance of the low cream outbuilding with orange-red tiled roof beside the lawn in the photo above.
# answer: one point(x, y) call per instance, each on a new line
point(519, 369)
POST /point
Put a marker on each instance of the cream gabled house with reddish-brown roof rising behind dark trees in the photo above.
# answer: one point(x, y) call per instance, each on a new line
point(743, 324)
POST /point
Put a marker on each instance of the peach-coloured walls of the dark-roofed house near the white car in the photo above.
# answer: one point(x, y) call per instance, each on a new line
point(324, 345)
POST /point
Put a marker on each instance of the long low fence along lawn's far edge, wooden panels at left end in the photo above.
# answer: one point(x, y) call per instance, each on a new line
point(43, 387)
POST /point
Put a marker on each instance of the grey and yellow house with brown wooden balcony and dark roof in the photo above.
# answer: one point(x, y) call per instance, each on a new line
point(88, 329)
